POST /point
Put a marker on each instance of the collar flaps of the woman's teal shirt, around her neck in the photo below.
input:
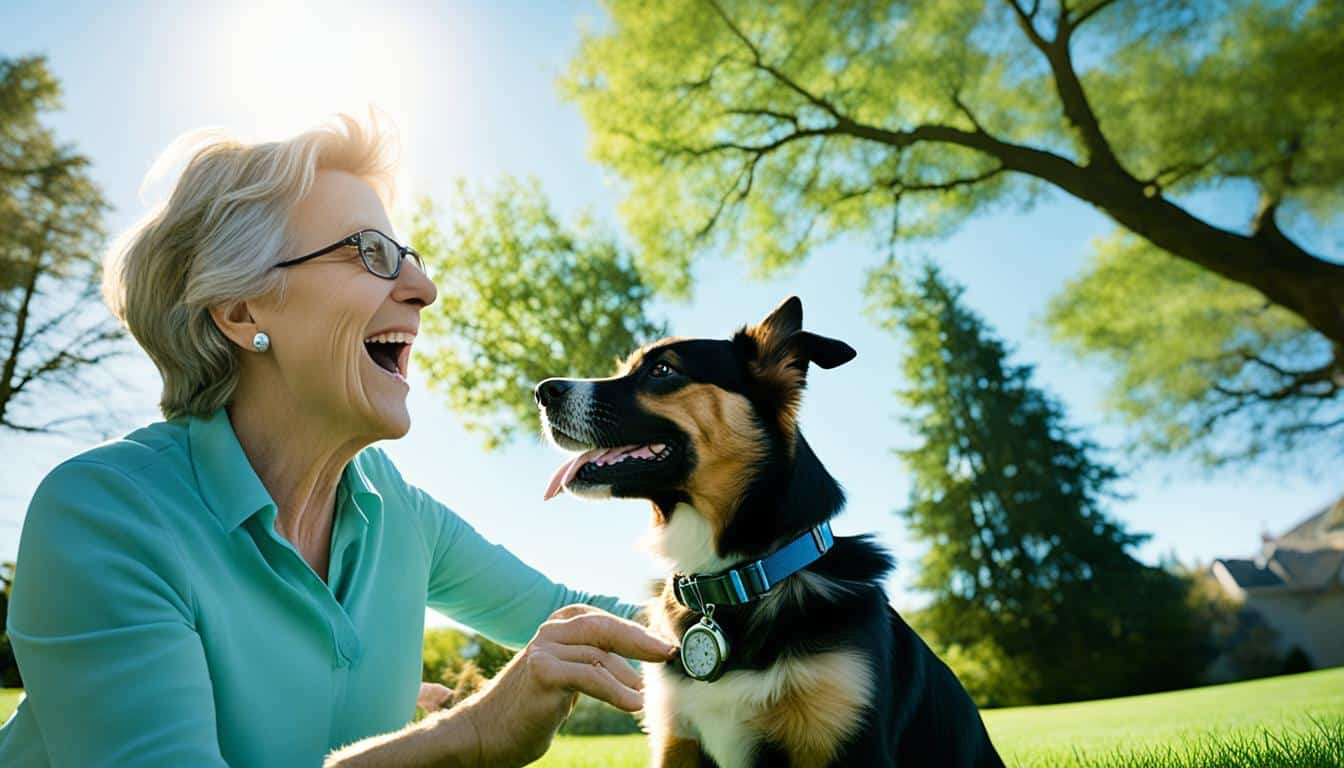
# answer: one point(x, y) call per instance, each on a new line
point(230, 486)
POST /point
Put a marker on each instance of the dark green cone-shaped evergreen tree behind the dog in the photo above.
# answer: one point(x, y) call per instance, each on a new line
point(1029, 575)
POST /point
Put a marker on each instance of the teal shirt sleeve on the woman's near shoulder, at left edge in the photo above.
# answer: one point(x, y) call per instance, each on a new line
point(103, 629)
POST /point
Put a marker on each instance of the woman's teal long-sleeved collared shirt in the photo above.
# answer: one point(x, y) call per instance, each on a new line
point(161, 621)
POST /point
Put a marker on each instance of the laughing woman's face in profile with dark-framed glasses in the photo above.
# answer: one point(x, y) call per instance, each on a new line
point(330, 310)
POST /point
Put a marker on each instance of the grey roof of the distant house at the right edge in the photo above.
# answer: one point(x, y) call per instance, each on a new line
point(1308, 556)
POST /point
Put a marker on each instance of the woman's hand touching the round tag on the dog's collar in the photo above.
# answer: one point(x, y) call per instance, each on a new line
point(579, 650)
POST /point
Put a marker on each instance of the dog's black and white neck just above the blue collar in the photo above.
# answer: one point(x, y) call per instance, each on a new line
point(780, 505)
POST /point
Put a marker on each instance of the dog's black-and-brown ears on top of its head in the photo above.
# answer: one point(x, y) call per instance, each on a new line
point(778, 353)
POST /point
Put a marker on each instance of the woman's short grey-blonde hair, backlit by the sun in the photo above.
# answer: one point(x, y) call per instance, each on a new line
point(216, 240)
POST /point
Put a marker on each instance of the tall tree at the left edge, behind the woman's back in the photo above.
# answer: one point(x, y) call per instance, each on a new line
point(54, 330)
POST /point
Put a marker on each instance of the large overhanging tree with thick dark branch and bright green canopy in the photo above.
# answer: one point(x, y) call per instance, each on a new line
point(772, 127)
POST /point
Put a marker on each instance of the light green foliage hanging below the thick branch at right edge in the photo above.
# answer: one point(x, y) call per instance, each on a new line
point(1201, 362)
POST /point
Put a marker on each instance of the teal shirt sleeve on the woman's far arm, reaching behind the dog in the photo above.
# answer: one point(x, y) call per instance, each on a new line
point(485, 586)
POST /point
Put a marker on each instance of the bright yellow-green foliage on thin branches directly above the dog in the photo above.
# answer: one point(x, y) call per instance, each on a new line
point(675, 96)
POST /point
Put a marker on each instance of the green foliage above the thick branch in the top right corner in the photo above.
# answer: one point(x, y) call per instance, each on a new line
point(1244, 92)
